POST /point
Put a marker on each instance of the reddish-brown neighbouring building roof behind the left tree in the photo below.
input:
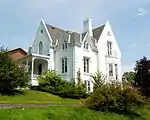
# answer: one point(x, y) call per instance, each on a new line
point(17, 53)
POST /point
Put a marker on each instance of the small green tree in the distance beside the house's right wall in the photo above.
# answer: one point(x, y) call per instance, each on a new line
point(129, 77)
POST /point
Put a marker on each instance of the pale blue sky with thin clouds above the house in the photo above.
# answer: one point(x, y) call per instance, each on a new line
point(130, 21)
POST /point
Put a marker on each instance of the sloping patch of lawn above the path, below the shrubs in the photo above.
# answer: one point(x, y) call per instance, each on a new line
point(36, 97)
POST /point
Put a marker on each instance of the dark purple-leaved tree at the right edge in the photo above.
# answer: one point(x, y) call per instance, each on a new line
point(142, 78)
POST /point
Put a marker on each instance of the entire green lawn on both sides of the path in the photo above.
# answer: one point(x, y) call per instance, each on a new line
point(57, 112)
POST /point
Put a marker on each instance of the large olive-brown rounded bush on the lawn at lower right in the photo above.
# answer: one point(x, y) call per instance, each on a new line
point(112, 97)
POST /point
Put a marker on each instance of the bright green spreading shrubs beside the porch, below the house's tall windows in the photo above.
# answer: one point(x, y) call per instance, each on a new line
point(52, 82)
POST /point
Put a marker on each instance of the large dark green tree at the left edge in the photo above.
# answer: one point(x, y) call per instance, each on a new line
point(11, 76)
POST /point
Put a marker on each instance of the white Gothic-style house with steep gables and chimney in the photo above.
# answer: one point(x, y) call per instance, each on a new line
point(68, 52)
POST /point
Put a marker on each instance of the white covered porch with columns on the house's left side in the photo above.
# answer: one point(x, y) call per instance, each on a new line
point(35, 64)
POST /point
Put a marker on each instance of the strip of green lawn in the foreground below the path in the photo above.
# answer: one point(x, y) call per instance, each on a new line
point(63, 113)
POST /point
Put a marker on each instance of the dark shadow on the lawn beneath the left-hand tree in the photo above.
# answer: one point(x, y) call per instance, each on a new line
point(11, 92)
